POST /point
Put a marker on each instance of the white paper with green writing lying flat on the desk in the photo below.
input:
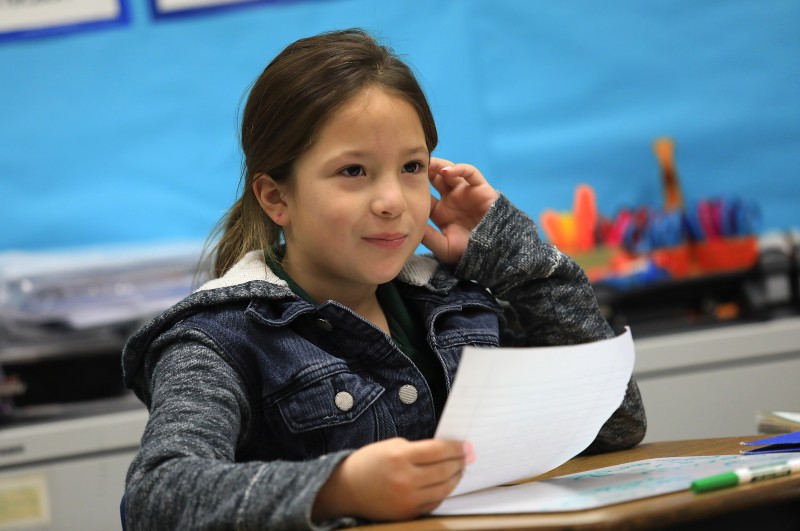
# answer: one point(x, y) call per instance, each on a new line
point(600, 487)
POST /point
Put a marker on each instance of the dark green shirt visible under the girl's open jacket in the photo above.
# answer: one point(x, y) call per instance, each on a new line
point(407, 332)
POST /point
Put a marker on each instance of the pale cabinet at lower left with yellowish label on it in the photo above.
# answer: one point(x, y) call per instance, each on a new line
point(69, 474)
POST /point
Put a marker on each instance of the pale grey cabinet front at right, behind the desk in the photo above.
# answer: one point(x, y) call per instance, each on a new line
point(711, 383)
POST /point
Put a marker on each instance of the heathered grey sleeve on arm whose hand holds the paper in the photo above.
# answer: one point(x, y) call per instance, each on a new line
point(185, 475)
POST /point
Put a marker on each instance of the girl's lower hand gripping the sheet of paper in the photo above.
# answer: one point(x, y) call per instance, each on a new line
point(393, 479)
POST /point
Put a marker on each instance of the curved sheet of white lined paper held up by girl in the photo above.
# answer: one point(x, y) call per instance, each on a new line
point(529, 410)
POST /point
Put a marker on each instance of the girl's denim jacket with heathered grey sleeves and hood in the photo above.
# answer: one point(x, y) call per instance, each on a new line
point(320, 381)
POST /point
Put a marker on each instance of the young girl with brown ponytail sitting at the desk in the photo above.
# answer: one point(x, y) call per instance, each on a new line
point(300, 388)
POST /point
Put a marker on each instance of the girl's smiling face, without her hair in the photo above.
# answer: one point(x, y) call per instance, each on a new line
point(359, 201)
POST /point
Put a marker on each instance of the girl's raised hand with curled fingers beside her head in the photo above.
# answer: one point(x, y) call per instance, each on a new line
point(464, 198)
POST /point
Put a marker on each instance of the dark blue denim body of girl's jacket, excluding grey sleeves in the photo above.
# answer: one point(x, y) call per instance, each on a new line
point(325, 379)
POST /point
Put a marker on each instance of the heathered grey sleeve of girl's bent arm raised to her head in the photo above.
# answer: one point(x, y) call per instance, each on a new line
point(552, 301)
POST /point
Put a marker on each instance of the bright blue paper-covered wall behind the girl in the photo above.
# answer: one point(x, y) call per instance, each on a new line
point(129, 134)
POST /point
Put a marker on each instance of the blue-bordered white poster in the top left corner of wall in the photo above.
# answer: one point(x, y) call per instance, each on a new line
point(20, 19)
